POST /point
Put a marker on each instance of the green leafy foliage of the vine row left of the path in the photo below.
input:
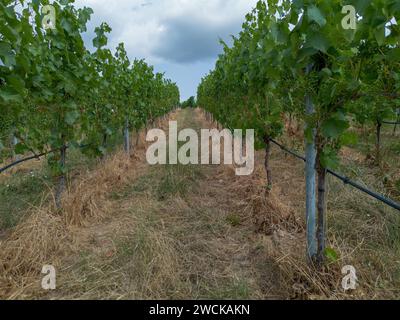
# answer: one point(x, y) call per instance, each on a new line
point(54, 92)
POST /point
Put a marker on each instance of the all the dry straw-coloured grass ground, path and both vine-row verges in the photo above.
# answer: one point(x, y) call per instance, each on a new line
point(130, 231)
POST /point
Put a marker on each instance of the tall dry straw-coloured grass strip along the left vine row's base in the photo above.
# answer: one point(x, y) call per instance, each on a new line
point(48, 235)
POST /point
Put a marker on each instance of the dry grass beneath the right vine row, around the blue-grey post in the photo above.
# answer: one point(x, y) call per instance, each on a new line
point(363, 233)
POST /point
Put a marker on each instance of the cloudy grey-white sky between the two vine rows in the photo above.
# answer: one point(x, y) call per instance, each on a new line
point(178, 37)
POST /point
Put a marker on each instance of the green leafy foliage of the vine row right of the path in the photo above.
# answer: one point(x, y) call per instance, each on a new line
point(294, 49)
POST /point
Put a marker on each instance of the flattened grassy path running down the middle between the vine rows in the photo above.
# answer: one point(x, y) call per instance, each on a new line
point(177, 232)
